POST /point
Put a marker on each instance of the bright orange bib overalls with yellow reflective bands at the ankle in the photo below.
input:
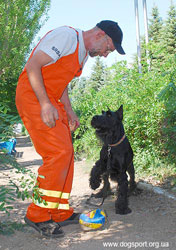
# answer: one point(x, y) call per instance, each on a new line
point(53, 144)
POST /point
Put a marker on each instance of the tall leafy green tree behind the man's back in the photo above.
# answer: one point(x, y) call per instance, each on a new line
point(20, 20)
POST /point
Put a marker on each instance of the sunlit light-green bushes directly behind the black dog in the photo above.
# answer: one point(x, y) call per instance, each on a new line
point(146, 109)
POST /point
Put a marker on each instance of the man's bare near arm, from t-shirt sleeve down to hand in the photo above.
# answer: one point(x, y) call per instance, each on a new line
point(49, 113)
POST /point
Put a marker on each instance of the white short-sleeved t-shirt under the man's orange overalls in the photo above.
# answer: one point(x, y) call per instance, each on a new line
point(61, 42)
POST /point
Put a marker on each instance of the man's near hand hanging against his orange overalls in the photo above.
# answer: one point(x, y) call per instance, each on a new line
point(49, 114)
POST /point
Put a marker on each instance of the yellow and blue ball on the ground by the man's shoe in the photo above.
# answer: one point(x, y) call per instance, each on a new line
point(93, 220)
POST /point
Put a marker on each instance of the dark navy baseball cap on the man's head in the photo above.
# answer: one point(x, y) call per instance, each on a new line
point(113, 30)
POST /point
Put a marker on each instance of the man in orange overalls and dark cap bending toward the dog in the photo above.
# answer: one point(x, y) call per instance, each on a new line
point(44, 106)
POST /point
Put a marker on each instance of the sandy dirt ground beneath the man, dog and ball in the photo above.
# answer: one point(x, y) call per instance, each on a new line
point(151, 225)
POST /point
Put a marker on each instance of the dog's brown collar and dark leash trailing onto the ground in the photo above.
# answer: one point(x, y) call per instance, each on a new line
point(88, 201)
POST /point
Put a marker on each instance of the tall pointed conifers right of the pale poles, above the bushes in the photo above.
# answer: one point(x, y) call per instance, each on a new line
point(162, 38)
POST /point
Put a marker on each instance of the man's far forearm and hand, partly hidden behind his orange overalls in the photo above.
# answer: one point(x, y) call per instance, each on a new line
point(72, 117)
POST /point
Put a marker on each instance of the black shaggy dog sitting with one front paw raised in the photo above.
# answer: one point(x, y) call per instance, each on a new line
point(116, 158)
